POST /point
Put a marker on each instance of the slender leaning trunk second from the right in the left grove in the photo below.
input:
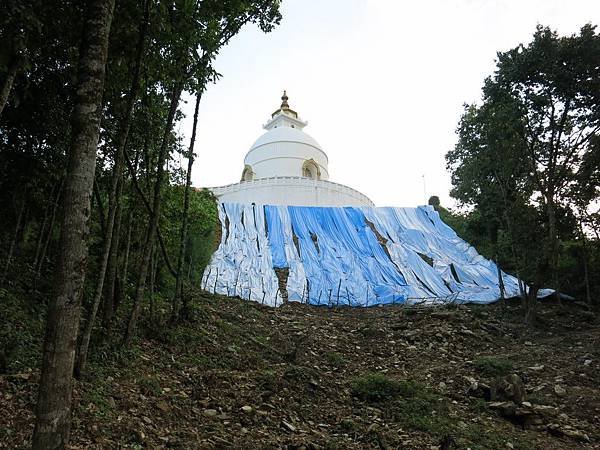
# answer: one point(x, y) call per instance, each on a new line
point(154, 217)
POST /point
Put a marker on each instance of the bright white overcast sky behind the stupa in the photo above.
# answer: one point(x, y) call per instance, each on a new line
point(381, 83)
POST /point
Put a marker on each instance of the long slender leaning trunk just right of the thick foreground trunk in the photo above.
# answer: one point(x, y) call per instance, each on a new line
point(112, 202)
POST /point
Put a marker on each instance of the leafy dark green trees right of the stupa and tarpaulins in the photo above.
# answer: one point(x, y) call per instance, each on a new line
point(527, 164)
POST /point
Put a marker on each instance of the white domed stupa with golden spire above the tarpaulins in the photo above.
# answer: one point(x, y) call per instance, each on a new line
point(286, 166)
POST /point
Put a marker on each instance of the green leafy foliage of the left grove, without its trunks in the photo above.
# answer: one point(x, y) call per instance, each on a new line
point(174, 45)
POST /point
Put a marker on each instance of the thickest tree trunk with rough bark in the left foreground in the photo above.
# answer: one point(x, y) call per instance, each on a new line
point(53, 414)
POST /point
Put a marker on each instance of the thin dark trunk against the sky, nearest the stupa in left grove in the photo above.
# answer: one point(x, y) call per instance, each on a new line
point(175, 313)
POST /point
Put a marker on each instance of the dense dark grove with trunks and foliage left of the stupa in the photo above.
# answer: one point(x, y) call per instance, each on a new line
point(90, 97)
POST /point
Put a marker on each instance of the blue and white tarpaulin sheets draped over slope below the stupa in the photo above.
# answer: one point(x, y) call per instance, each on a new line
point(348, 256)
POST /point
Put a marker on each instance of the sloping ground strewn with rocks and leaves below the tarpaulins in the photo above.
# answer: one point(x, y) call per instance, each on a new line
point(298, 377)
